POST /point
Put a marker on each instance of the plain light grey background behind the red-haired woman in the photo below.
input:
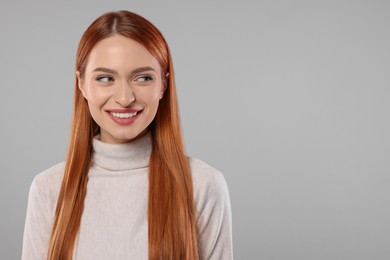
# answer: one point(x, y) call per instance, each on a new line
point(289, 99)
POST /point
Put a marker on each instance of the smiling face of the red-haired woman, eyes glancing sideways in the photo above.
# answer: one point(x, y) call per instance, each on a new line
point(123, 86)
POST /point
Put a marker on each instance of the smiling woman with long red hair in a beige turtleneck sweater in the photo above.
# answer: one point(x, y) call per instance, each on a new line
point(126, 189)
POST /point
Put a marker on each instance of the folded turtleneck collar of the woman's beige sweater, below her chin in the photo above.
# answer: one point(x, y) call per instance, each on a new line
point(122, 157)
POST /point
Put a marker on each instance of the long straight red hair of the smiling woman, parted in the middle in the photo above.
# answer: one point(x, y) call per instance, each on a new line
point(171, 209)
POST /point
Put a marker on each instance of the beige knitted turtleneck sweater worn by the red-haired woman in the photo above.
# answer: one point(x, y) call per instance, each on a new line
point(114, 224)
